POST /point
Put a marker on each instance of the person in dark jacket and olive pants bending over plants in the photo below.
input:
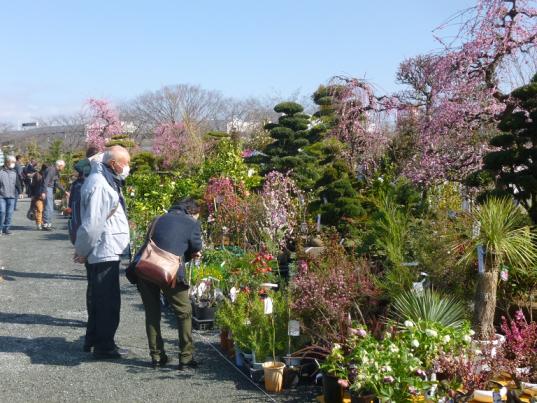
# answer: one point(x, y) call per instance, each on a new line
point(177, 232)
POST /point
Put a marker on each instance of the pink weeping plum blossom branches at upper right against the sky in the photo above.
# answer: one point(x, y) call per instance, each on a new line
point(458, 92)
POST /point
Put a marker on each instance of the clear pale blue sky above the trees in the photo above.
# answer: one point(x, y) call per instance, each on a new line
point(57, 53)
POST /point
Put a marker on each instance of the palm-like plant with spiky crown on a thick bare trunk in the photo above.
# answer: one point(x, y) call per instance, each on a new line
point(507, 239)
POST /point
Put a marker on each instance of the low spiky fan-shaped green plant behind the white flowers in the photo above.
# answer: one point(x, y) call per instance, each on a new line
point(428, 306)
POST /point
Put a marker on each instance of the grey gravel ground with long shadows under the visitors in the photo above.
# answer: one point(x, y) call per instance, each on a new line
point(42, 321)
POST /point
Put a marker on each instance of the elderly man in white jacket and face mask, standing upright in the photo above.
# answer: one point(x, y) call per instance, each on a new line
point(101, 240)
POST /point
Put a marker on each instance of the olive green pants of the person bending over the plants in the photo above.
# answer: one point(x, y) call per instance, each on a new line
point(180, 303)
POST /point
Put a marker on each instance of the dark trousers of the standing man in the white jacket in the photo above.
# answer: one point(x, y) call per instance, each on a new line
point(103, 301)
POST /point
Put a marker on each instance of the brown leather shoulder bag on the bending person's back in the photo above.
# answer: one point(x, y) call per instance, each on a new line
point(157, 265)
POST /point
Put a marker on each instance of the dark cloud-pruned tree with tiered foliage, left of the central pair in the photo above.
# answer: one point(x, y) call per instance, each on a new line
point(287, 153)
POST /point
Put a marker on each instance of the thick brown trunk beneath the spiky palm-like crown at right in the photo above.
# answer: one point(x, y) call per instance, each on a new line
point(485, 304)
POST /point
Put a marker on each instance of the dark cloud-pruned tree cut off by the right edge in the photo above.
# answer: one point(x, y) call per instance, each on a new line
point(513, 167)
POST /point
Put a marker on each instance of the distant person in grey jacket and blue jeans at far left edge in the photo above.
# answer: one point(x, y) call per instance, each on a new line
point(10, 187)
